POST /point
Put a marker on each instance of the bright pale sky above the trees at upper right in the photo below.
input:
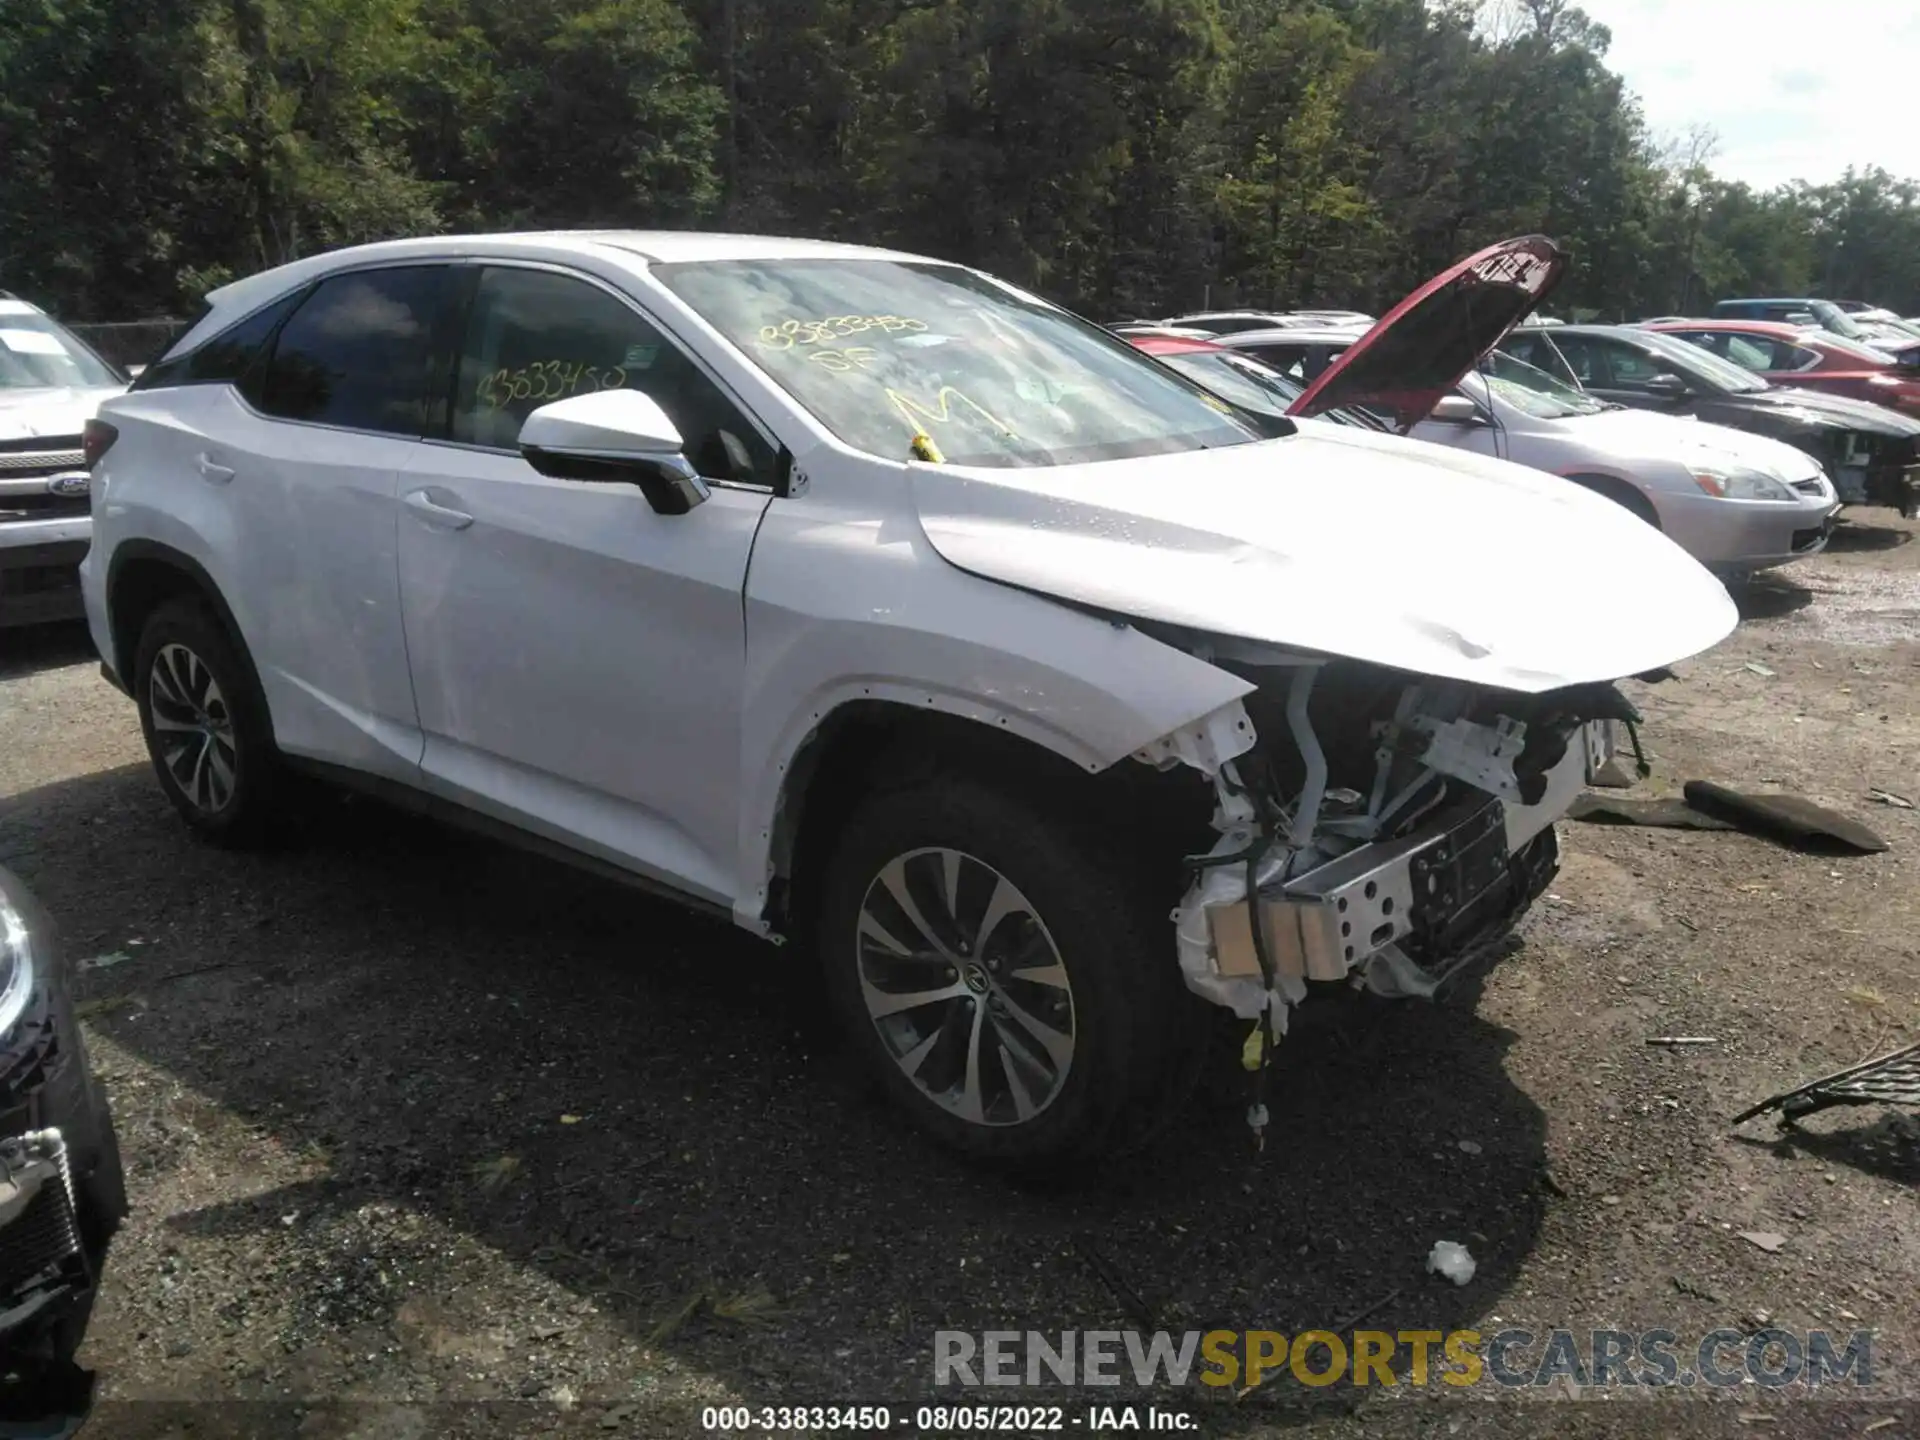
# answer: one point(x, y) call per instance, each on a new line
point(1794, 89)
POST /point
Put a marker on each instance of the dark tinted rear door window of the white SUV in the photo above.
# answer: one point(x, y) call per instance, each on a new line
point(356, 352)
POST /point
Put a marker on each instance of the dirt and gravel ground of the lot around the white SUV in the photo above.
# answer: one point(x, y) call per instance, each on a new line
point(427, 1138)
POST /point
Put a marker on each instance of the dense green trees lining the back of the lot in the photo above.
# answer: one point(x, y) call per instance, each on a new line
point(1124, 156)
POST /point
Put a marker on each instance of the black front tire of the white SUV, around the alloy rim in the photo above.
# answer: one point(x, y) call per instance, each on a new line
point(1136, 1028)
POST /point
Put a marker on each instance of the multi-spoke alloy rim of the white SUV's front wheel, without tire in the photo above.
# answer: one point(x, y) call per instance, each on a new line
point(965, 986)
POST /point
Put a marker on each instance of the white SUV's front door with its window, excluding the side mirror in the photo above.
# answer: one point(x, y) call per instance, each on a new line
point(577, 658)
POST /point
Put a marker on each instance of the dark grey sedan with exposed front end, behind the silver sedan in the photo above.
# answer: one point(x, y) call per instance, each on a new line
point(1869, 452)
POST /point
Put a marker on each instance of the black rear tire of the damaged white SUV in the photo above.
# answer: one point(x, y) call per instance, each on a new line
point(245, 815)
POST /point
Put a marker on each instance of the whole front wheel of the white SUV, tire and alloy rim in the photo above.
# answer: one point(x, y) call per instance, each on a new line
point(1005, 976)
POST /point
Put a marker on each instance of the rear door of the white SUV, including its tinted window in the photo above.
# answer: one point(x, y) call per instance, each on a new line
point(300, 462)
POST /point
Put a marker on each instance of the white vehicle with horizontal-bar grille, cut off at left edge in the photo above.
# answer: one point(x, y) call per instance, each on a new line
point(51, 385)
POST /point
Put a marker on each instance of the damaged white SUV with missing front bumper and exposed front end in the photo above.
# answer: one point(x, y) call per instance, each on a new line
point(873, 602)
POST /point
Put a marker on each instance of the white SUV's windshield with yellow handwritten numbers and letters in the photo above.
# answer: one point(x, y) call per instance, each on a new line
point(915, 360)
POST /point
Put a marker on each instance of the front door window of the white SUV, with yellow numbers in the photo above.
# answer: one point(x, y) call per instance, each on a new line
point(537, 337)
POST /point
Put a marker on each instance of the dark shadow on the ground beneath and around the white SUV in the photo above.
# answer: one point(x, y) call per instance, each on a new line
point(648, 1109)
